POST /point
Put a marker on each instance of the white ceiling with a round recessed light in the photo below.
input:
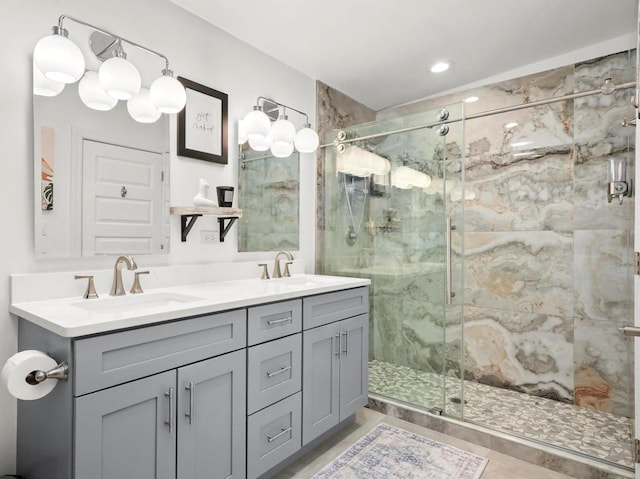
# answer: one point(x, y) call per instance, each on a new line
point(379, 52)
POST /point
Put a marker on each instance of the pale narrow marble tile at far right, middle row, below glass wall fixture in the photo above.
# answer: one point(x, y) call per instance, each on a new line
point(603, 275)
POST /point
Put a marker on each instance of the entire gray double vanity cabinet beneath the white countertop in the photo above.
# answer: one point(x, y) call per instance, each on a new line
point(229, 395)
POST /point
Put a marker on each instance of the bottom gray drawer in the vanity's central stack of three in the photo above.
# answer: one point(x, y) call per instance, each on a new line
point(273, 435)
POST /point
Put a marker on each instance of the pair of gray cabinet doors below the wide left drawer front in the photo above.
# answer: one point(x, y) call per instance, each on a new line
point(131, 430)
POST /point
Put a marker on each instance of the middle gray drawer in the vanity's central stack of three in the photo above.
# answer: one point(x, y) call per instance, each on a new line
point(274, 371)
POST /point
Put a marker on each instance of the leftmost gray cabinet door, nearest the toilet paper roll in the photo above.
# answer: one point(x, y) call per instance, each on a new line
point(127, 431)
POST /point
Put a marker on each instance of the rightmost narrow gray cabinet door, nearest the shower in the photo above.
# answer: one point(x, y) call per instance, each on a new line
point(354, 364)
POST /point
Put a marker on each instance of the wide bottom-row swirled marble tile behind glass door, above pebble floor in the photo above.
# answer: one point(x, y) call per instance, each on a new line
point(530, 353)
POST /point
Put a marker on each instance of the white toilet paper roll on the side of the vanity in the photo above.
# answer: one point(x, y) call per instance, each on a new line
point(19, 366)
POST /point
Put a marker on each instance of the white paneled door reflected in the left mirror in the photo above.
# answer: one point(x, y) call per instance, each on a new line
point(121, 200)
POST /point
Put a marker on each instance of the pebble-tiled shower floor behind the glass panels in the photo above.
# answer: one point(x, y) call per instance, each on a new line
point(590, 434)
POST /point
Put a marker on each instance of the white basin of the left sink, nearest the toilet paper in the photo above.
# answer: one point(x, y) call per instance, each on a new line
point(130, 303)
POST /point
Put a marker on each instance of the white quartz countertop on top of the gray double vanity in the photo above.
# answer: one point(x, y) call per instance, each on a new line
point(74, 317)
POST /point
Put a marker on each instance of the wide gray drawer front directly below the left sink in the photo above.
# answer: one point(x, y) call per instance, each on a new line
point(111, 359)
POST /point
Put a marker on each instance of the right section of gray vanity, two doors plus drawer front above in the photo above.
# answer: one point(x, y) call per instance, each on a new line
point(335, 360)
